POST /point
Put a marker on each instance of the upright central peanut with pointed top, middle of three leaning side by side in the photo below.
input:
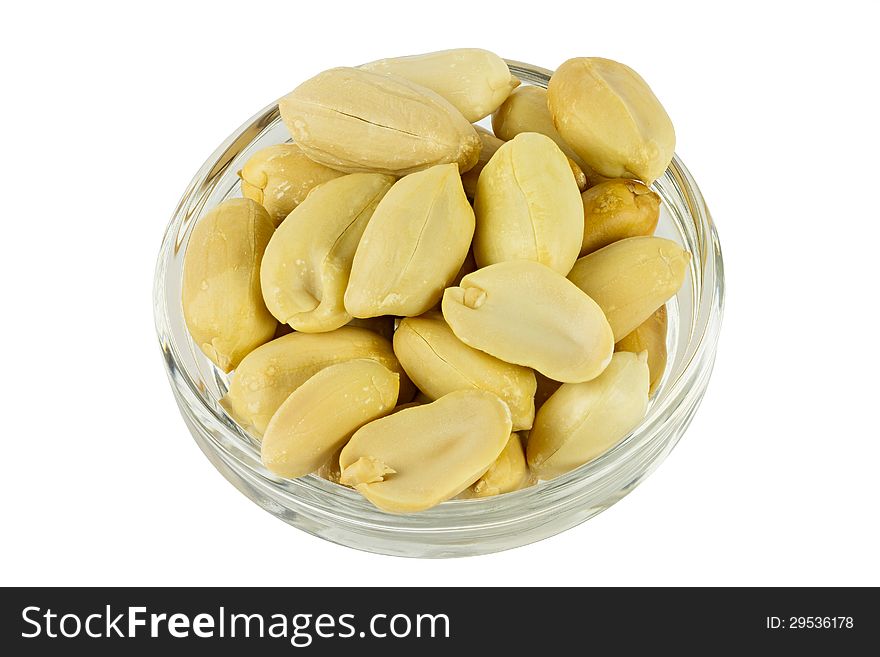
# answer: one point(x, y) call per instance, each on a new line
point(414, 245)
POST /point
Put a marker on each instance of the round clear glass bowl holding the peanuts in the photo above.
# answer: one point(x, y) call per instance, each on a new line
point(458, 527)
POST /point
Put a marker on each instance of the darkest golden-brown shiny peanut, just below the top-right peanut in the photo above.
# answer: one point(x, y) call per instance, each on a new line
point(615, 210)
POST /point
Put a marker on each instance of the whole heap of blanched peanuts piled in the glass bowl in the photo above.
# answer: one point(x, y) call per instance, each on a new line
point(425, 330)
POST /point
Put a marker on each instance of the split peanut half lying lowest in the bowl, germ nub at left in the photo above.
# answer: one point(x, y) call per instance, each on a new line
point(419, 457)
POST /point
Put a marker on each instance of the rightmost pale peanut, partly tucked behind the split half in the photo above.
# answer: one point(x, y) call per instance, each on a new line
point(631, 278)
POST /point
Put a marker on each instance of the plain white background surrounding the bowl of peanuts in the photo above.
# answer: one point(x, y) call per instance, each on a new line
point(109, 109)
